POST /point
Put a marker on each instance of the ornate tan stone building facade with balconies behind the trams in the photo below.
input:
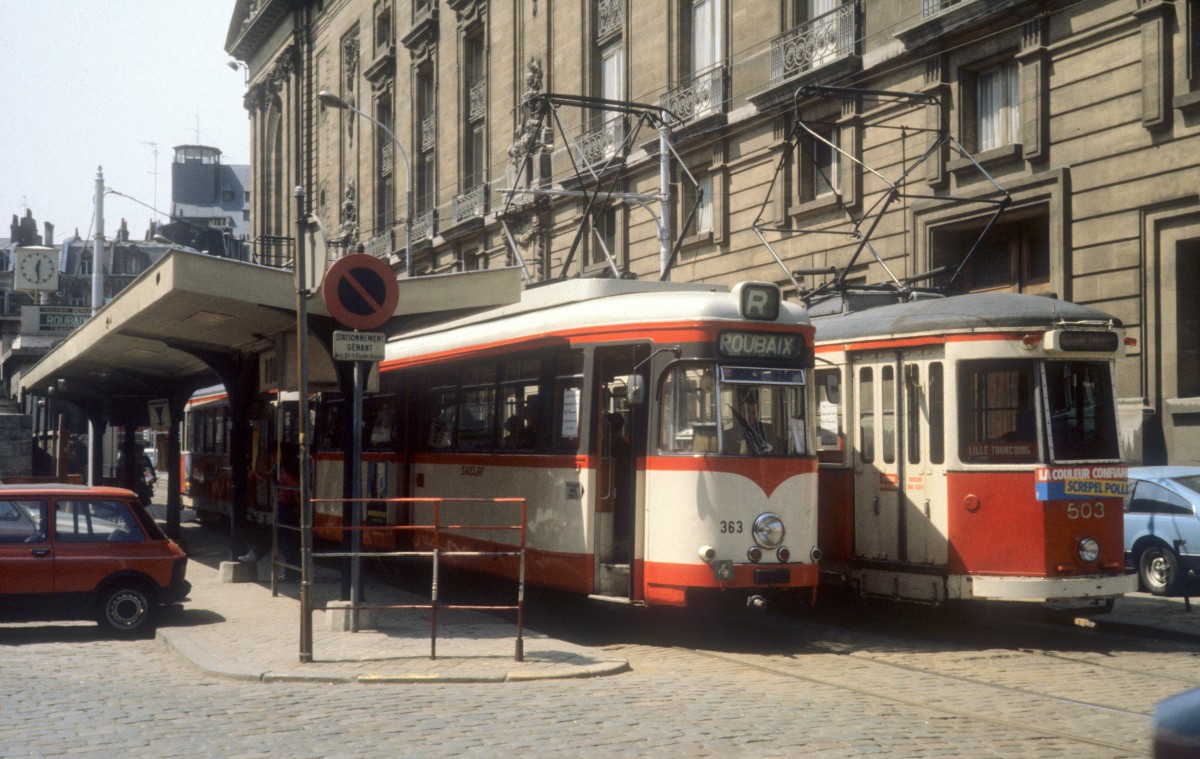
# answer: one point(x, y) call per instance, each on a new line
point(1087, 113)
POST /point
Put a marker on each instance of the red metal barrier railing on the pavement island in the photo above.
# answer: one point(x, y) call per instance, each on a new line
point(437, 554)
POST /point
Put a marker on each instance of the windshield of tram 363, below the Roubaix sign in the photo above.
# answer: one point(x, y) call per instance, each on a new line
point(740, 411)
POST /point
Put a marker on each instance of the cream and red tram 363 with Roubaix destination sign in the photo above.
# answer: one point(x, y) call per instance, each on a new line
point(659, 433)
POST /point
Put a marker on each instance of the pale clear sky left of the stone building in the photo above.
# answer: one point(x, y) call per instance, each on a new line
point(109, 83)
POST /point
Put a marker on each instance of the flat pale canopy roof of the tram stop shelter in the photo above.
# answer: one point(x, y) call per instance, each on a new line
point(152, 336)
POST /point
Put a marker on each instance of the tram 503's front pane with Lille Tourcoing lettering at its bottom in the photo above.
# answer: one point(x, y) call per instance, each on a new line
point(999, 422)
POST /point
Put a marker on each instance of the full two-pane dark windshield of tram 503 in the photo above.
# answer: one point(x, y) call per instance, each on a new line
point(1030, 411)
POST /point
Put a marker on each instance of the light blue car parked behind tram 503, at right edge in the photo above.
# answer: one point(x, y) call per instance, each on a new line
point(1162, 528)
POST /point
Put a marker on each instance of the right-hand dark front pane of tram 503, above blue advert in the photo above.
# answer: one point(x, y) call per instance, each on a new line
point(1083, 417)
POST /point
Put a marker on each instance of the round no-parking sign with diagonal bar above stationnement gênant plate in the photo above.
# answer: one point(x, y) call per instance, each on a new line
point(361, 291)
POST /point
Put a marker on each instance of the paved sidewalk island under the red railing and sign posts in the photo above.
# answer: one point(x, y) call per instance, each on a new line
point(241, 631)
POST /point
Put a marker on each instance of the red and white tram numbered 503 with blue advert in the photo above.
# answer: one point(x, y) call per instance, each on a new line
point(969, 449)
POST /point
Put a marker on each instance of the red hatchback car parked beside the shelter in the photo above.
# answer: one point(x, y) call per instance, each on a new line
point(76, 552)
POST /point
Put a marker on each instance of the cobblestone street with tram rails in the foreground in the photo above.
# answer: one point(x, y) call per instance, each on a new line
point(839, 692)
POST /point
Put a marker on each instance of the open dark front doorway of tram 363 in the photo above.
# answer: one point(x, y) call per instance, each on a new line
point(615, 428)
